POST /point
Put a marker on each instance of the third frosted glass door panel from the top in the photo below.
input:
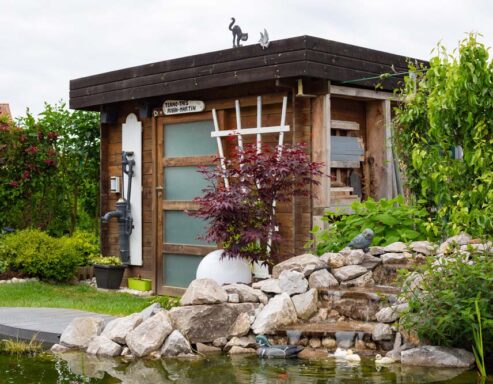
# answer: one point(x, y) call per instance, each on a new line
point(183, 229)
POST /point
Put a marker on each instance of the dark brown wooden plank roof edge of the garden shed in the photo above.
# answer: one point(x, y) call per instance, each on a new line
point(304, 56)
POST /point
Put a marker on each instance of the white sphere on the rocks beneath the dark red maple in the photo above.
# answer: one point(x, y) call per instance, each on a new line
point(226, 270)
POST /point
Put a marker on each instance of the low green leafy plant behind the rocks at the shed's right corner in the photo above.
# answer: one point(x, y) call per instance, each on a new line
point(391, 220)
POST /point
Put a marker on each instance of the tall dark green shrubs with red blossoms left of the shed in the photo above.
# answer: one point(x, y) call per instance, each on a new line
point(49, 171)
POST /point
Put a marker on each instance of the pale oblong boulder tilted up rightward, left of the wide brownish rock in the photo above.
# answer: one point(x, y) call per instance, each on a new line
point(150, 334)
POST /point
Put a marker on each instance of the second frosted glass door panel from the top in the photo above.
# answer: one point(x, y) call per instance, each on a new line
point(183, 183)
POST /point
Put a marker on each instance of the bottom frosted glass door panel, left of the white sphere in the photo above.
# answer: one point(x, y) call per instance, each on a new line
point(180, 270)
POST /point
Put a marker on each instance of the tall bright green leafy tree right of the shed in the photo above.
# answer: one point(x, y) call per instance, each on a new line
point(450, 105)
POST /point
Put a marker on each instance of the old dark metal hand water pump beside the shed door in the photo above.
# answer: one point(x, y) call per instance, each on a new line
point(123, 211)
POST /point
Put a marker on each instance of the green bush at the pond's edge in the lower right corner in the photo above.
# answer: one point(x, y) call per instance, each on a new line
point(451, 296)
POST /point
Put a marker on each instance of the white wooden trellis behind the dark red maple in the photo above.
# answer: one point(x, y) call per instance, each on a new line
point(239, 132)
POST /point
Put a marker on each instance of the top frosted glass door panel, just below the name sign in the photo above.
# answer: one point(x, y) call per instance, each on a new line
point(189, 139)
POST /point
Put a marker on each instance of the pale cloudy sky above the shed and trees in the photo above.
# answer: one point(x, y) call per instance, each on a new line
point(45, 43)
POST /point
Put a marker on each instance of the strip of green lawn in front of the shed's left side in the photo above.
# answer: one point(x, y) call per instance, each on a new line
point(81, 296)
